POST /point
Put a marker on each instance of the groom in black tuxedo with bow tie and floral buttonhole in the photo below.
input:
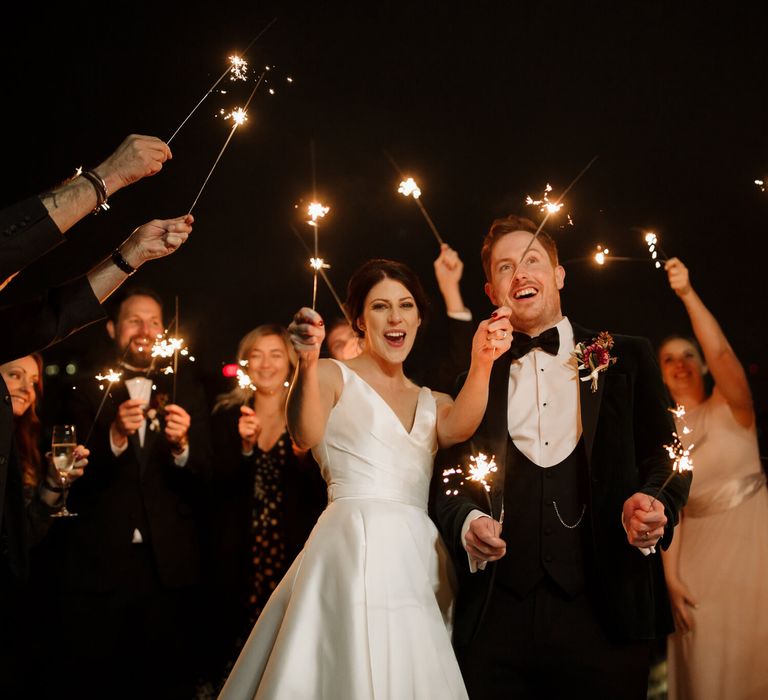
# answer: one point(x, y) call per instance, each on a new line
point(561, 590)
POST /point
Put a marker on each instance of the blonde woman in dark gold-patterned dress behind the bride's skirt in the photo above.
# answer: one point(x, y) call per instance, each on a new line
point(265, 494)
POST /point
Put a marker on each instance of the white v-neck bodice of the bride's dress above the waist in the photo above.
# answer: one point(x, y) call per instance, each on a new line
point(367, 452)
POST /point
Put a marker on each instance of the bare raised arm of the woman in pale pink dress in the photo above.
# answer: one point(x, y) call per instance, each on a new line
point(727, 371)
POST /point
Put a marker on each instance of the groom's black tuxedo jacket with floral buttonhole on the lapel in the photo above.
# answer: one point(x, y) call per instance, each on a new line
point(625, 426)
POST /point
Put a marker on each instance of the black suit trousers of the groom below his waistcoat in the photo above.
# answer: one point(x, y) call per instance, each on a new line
point(548, 645)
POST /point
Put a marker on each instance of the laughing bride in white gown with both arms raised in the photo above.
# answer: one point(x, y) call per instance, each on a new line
point(364, 610)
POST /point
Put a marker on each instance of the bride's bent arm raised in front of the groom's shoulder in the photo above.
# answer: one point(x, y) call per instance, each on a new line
point(457, 420)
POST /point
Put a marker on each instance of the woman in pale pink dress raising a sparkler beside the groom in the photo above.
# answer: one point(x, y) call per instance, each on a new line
point(717, 566)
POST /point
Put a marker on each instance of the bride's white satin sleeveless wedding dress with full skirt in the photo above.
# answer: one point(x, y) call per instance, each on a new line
point(364, 611)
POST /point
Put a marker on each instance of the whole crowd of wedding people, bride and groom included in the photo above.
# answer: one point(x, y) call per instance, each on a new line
point(308, 534)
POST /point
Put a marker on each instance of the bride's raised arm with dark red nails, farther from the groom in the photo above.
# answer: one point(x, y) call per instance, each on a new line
point(316, 385)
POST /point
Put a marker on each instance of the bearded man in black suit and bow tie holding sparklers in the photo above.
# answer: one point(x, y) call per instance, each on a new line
point(130, 564)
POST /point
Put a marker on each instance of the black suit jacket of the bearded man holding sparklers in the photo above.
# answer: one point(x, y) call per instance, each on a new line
point(142, 487)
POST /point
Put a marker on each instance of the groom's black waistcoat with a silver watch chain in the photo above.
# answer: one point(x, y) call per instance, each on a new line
point(539, 505)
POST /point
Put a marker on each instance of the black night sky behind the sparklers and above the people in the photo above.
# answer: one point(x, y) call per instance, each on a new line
point(481, 102)
